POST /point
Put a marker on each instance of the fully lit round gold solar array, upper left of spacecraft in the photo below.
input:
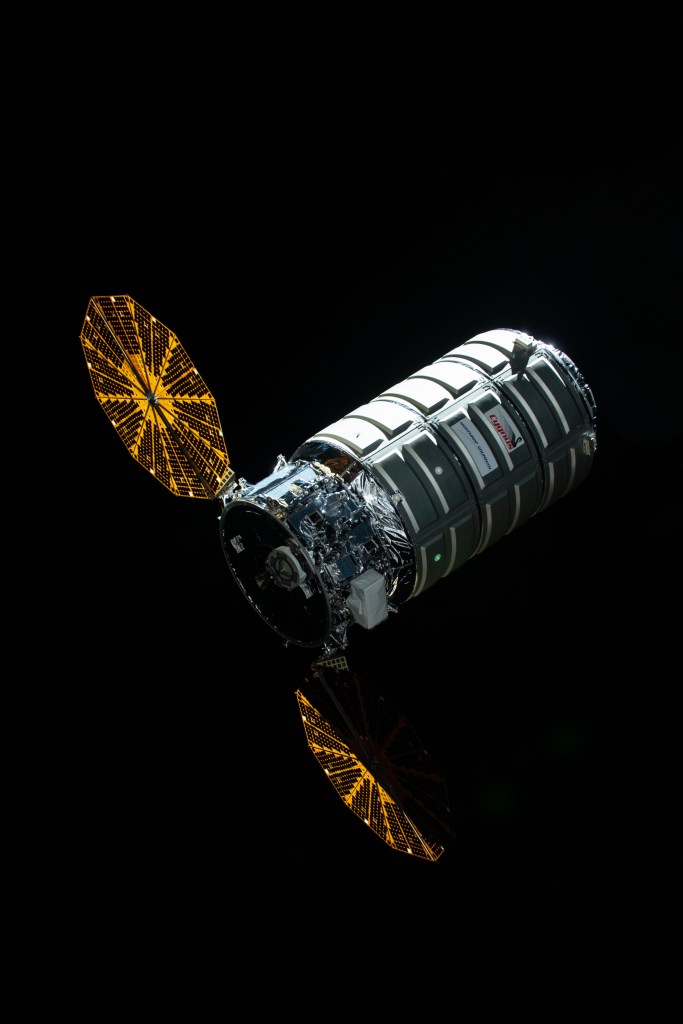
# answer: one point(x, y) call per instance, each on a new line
point(154, 398)
